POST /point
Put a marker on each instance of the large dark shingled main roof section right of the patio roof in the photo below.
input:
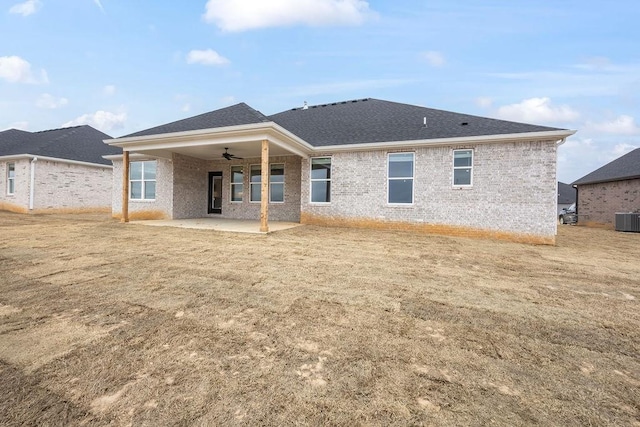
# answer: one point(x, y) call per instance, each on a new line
point(373, 120)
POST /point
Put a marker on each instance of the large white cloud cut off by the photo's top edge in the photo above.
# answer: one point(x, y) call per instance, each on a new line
point(241, 15)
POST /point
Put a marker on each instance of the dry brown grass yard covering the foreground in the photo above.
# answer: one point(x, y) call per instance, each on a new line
point(103, 323)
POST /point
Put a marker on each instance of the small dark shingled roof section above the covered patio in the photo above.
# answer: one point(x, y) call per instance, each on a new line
point(235, 115)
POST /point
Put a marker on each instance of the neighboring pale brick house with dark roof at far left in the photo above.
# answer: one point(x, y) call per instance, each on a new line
point(59, 170)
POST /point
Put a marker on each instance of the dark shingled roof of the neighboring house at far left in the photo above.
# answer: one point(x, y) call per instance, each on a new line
point(80, 143)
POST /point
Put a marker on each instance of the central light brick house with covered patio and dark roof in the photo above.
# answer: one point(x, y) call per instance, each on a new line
point(361, 163)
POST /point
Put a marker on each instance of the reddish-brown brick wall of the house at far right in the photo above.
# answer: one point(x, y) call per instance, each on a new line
point(598, 203)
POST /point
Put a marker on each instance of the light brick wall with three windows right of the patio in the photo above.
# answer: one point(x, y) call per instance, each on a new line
point(513, 193)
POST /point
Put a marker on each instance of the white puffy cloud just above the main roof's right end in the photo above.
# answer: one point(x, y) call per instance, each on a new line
point(537, 110)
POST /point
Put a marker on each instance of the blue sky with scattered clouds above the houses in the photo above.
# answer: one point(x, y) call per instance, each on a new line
point(123, 66)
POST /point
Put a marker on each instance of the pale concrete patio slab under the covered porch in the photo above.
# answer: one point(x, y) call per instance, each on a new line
point(220, 224)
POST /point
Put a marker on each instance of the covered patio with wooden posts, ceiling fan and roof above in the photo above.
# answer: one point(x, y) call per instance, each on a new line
point(229, 145)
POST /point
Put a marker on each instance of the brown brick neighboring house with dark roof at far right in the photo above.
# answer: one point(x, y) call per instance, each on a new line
point(615, 187)
